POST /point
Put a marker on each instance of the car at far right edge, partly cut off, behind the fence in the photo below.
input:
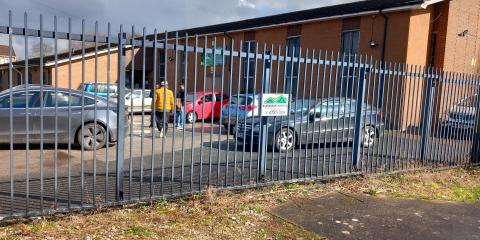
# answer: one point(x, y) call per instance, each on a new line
point(462, 115)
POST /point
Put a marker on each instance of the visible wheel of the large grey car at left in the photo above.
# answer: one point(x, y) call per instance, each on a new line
point(88, 139)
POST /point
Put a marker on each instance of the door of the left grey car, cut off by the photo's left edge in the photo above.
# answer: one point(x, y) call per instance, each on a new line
point(19, 115)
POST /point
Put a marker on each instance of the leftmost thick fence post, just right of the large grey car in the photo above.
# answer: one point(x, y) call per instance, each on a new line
point(120, 116)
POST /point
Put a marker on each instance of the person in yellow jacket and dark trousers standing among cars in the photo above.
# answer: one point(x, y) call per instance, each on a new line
point(164, 105)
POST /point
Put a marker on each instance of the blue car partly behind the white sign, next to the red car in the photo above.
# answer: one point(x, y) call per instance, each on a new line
point(240, 107)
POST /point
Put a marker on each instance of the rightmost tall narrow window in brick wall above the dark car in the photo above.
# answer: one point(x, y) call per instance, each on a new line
point(350, 45)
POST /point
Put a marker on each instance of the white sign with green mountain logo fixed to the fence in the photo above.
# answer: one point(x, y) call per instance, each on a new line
point(275, 105)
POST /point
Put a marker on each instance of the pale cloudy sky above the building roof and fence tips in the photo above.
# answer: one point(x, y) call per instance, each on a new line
point(160, 14)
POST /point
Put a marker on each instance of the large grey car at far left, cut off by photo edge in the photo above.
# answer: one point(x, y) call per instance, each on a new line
point(64, 104)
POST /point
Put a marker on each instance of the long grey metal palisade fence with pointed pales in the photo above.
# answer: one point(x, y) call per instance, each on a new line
point(81, 116)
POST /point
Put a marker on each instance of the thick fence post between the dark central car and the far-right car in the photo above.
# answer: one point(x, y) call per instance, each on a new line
point(427, 115)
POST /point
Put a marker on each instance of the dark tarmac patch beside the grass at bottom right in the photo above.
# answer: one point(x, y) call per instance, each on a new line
point(342, 216)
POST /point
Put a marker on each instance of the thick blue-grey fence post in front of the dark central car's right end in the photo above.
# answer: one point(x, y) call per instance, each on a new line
point(358, 118)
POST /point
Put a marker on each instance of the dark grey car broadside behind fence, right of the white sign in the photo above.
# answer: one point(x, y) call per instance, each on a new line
point(329, 117)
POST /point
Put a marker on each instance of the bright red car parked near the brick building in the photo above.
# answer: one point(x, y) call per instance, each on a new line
point(205, 105)
